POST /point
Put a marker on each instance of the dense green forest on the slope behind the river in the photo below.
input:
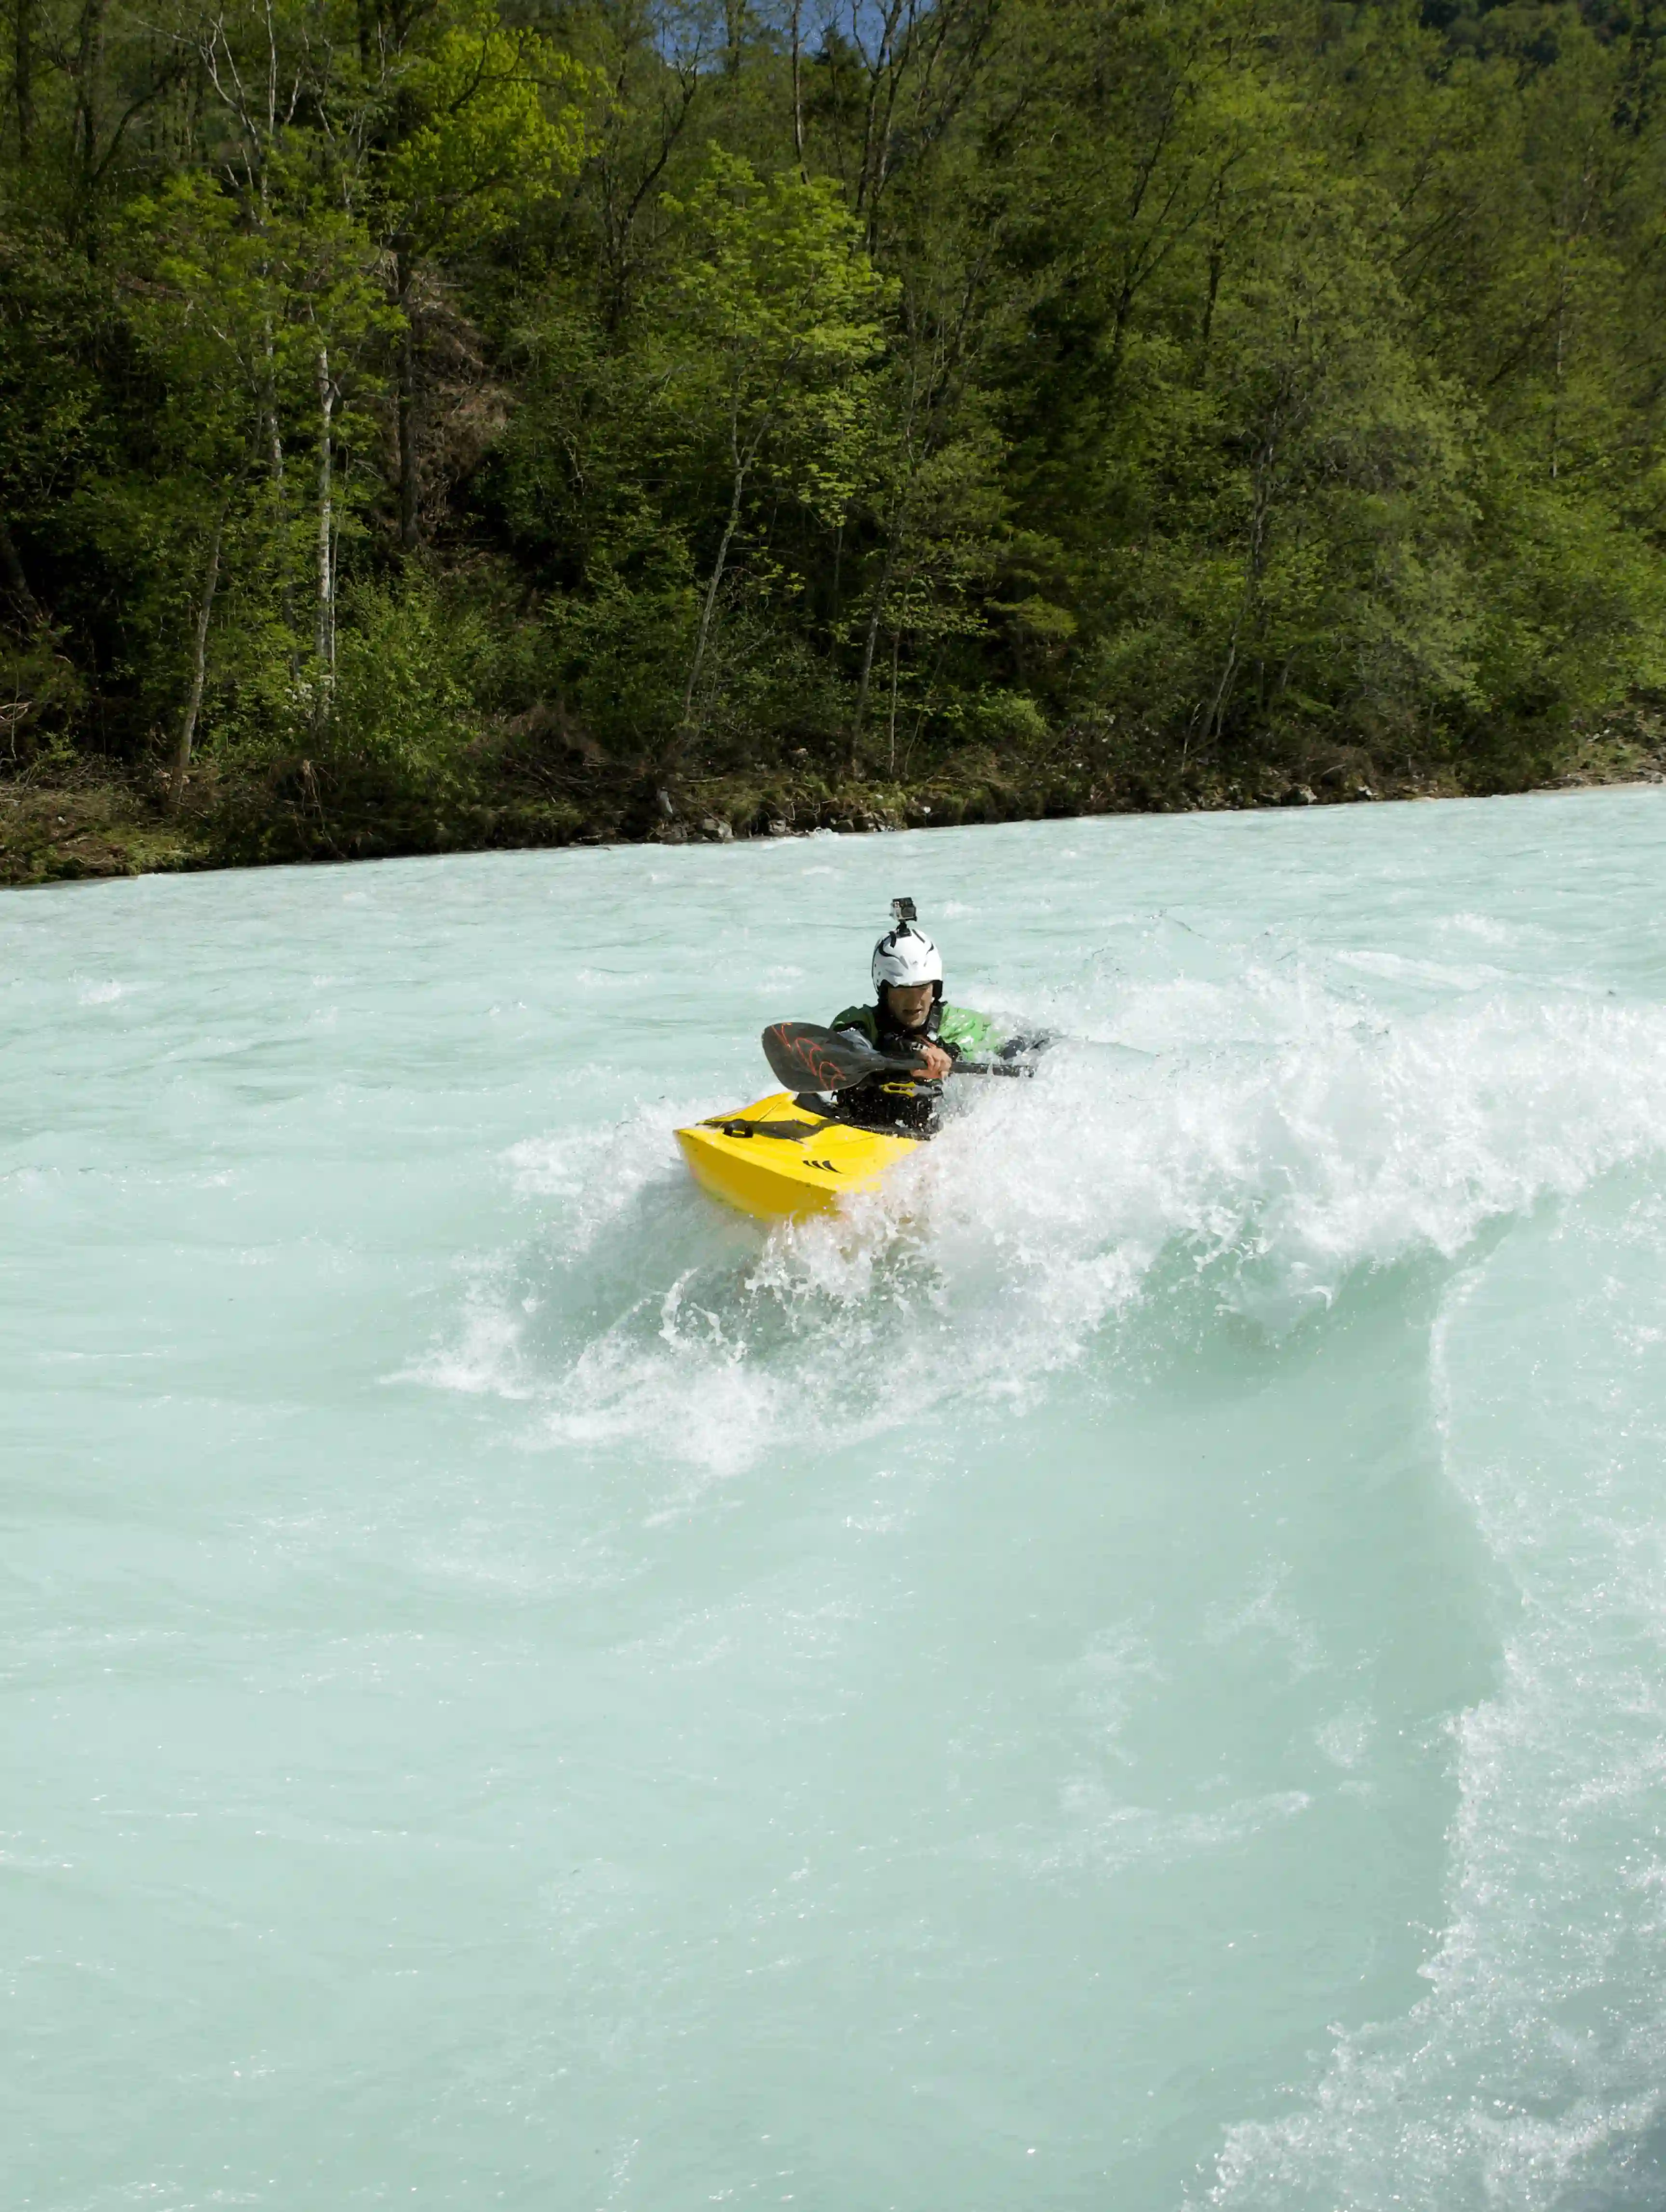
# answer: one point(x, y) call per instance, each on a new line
point(444, 424)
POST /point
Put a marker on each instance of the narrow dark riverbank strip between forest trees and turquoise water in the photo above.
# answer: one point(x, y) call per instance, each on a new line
point(79, 824)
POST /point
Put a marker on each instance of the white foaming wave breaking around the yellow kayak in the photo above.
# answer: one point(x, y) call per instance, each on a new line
point(1242, 1182)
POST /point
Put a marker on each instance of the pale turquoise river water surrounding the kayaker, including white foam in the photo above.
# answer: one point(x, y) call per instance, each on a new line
point(1129, 1673)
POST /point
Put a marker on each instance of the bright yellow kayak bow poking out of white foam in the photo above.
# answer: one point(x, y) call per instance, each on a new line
point(780, 1158)
